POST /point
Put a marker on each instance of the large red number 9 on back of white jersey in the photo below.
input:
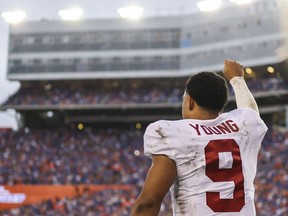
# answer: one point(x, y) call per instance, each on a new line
point(234, 174)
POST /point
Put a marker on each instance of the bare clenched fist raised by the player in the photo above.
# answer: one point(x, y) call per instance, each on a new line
point(232, 69)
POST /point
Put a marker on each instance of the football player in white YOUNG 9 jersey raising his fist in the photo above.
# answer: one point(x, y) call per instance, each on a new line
point(208, 159)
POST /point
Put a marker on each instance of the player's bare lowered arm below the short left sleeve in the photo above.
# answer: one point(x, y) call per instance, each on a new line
point(159, 179)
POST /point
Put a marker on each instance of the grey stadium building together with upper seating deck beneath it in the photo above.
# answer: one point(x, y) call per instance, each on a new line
point(60, 54)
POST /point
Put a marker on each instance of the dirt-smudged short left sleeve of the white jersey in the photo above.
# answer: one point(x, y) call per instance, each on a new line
point(156, 141)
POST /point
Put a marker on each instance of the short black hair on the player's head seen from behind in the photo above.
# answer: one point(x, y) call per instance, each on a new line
point(208, 89)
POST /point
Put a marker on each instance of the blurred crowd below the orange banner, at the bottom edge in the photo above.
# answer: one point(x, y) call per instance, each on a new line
point(110, 202)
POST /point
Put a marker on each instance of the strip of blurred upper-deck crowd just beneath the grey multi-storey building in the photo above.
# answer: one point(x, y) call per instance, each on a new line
point(134, 92)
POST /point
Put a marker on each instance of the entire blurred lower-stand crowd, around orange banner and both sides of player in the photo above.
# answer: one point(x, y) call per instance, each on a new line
point(114, 156)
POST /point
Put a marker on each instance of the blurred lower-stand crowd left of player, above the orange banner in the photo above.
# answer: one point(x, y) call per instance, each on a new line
point(71, 157)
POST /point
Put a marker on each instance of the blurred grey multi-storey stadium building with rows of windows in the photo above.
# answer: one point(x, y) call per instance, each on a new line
point(153, 47)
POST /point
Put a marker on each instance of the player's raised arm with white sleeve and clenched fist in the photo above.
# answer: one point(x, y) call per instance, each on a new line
point(234, 73)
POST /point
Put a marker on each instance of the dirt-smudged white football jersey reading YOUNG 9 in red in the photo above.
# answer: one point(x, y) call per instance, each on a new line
point(216, 161)
